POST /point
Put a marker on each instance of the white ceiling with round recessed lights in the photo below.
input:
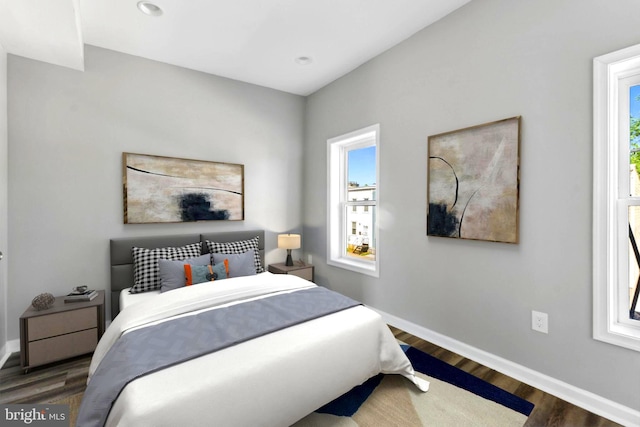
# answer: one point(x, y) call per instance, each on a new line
point(255, 41)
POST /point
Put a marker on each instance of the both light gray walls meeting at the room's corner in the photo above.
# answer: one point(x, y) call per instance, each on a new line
point(490, 60)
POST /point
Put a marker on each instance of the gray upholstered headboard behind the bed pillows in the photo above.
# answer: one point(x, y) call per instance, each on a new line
point(122, 259)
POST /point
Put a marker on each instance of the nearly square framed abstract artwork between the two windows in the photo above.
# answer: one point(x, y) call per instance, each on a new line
point(473, 180)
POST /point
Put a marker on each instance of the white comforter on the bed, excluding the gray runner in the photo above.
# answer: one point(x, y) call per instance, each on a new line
point(273, 380)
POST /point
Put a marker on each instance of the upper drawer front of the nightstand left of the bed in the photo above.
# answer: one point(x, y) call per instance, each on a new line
point(62, 323)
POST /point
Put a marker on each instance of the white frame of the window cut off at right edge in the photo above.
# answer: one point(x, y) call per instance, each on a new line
point(613, 74)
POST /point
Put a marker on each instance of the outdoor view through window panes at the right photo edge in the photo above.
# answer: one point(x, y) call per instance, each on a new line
point(634, 211)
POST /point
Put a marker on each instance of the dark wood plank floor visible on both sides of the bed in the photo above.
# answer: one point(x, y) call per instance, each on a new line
point(54, 382)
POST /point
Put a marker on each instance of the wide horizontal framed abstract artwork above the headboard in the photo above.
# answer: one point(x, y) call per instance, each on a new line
point(166, 189)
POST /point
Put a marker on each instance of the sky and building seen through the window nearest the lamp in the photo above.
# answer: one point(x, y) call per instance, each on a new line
point(361, 190)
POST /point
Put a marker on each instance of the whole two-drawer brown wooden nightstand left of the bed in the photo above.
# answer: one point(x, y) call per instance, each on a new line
point(62, 331)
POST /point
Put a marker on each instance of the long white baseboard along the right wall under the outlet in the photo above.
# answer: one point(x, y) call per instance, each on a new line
point(582, 398)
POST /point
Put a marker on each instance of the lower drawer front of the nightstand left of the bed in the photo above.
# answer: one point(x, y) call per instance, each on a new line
point(62, 347)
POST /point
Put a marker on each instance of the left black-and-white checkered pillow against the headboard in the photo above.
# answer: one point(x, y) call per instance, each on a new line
point(145, 264)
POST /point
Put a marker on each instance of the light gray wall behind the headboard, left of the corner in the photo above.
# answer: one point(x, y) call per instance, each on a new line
point(67, 132)
